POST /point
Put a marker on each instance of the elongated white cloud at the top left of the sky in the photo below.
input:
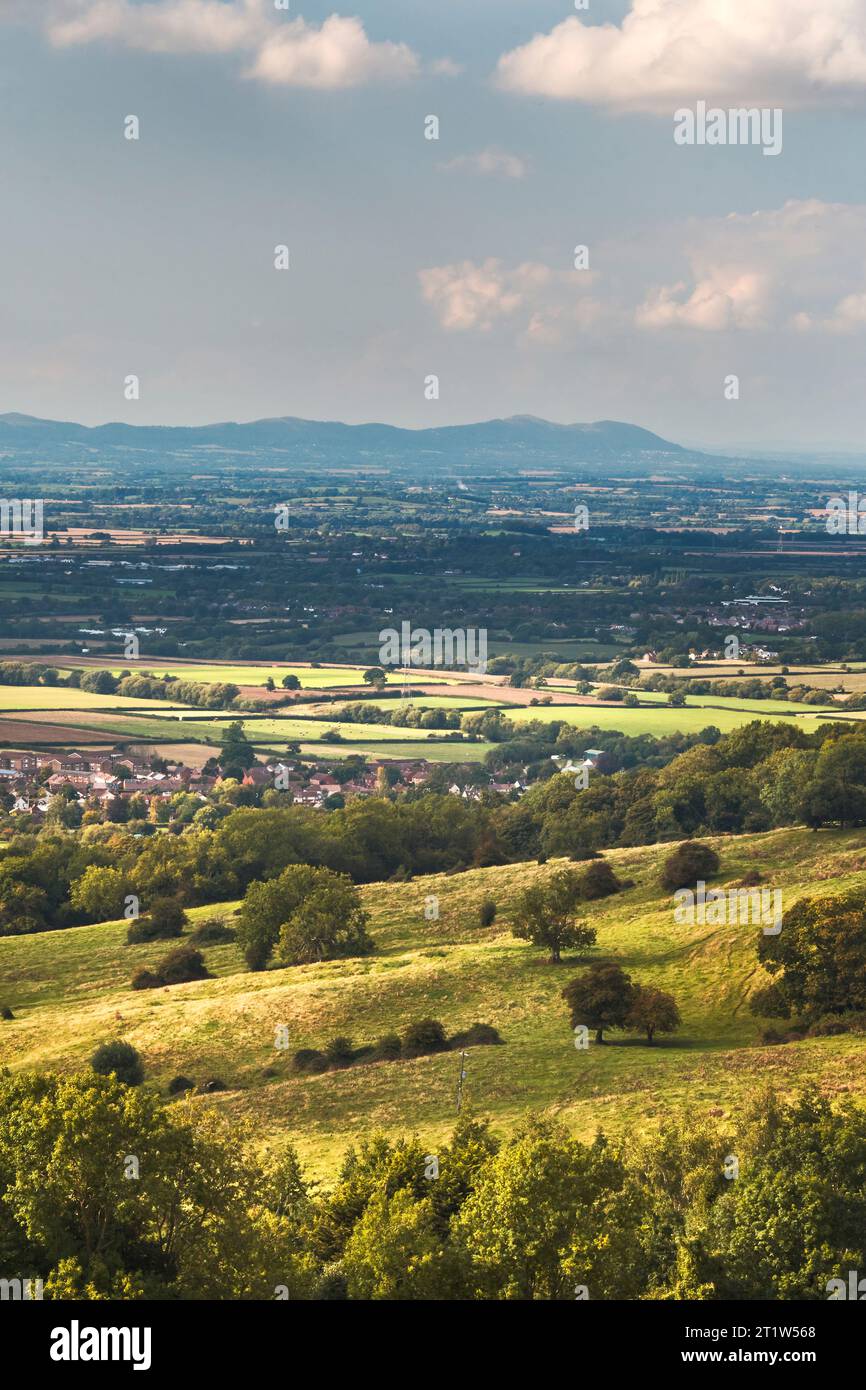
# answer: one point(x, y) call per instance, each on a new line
point(338, 54)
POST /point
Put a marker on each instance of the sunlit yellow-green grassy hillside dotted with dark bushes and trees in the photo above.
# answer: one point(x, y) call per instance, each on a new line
point(70, 992)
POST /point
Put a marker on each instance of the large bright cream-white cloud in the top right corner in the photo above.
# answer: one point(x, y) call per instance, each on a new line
point(675, 52)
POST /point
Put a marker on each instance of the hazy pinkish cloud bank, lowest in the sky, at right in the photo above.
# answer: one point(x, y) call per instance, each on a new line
point(800, 268)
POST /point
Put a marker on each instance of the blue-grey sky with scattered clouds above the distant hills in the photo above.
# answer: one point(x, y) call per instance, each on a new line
point(452, 258)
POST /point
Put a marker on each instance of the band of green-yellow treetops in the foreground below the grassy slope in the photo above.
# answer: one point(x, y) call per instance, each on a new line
point(539, 1216)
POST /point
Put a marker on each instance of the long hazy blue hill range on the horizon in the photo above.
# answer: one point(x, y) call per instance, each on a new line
point(522, 441)
